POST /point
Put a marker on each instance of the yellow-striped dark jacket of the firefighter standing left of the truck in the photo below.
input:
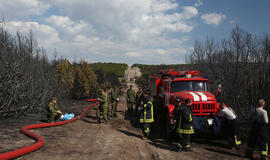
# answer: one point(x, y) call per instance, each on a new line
point(147, 115)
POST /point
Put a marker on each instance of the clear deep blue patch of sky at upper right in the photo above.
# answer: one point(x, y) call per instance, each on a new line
point(250, 15)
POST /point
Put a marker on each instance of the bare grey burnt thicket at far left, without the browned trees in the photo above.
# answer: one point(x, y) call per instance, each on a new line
point(27, 79)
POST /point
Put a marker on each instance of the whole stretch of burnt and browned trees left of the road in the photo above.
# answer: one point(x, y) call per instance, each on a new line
point(28, 79)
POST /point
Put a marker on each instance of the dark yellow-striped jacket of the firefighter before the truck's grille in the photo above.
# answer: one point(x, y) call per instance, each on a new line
point(184, 121)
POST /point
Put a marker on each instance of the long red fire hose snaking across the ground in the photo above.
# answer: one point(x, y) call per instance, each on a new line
point(40, 140)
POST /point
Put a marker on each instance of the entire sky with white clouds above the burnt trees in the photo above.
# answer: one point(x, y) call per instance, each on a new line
point(128, 31)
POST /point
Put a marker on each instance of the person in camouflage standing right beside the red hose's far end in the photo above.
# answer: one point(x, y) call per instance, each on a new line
point(103, 106)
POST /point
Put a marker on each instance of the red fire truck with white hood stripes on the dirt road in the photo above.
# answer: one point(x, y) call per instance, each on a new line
point(170, 84)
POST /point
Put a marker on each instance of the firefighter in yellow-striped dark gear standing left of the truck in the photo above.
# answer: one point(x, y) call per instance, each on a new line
point(147, 114)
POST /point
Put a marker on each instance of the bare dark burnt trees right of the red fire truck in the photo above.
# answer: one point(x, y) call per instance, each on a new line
point(240, 63)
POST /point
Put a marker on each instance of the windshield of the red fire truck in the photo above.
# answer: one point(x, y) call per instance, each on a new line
point(181, 86)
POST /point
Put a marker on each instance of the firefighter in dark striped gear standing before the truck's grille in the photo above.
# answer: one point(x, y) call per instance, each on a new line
point(184, 126)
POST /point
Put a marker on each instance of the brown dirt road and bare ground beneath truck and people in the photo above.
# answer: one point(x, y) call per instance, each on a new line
point(85, 139)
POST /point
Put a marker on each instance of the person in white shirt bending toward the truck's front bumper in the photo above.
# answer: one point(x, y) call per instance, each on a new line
point(232, 119)
